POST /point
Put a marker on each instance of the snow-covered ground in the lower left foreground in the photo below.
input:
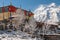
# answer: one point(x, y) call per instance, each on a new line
point(15, 35)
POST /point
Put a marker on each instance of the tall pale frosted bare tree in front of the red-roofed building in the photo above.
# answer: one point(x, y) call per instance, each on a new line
point(20, 17)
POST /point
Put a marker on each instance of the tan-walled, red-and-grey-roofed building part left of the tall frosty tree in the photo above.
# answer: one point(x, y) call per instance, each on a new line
point(5, 12)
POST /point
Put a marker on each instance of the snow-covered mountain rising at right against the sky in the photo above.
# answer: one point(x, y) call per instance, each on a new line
point(49, 13)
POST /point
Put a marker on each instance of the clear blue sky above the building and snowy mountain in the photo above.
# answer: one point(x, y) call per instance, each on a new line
point(29, 4)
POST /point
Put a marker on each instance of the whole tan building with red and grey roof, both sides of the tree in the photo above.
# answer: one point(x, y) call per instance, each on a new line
point(7, 11)
